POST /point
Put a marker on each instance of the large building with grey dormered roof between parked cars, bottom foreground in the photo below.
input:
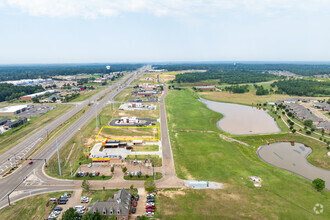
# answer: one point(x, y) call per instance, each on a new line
point(119, 205)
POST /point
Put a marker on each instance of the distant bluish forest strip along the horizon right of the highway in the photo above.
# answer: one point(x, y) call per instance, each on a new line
point(300, 69)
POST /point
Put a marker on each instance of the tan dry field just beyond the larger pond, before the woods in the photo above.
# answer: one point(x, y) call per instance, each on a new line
point(249, 98)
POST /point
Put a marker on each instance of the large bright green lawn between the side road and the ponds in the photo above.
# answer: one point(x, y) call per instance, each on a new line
point(205, 156)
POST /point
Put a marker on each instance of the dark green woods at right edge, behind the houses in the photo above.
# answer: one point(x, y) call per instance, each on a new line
point(301, 87)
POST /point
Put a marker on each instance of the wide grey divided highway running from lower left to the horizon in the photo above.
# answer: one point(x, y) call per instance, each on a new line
point(40, 183)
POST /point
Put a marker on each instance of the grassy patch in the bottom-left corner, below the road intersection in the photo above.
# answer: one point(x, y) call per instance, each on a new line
point(34, 207)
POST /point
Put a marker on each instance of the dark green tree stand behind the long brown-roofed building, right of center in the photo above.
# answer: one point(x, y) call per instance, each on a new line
point(225, 77)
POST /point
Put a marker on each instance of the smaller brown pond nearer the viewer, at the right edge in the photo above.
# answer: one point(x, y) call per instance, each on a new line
point(291, 156)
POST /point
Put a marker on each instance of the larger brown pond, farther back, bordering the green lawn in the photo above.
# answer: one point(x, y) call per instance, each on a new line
point(241, 119)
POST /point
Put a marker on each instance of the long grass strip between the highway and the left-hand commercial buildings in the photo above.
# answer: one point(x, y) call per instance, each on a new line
point(16, 135)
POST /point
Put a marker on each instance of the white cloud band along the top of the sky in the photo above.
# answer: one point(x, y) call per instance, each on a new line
point(97, 8)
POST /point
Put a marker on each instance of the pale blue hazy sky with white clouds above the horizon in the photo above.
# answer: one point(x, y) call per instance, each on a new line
point(88, 31)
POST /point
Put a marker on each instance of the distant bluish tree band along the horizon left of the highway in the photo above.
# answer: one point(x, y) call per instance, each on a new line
point(16, 72)
